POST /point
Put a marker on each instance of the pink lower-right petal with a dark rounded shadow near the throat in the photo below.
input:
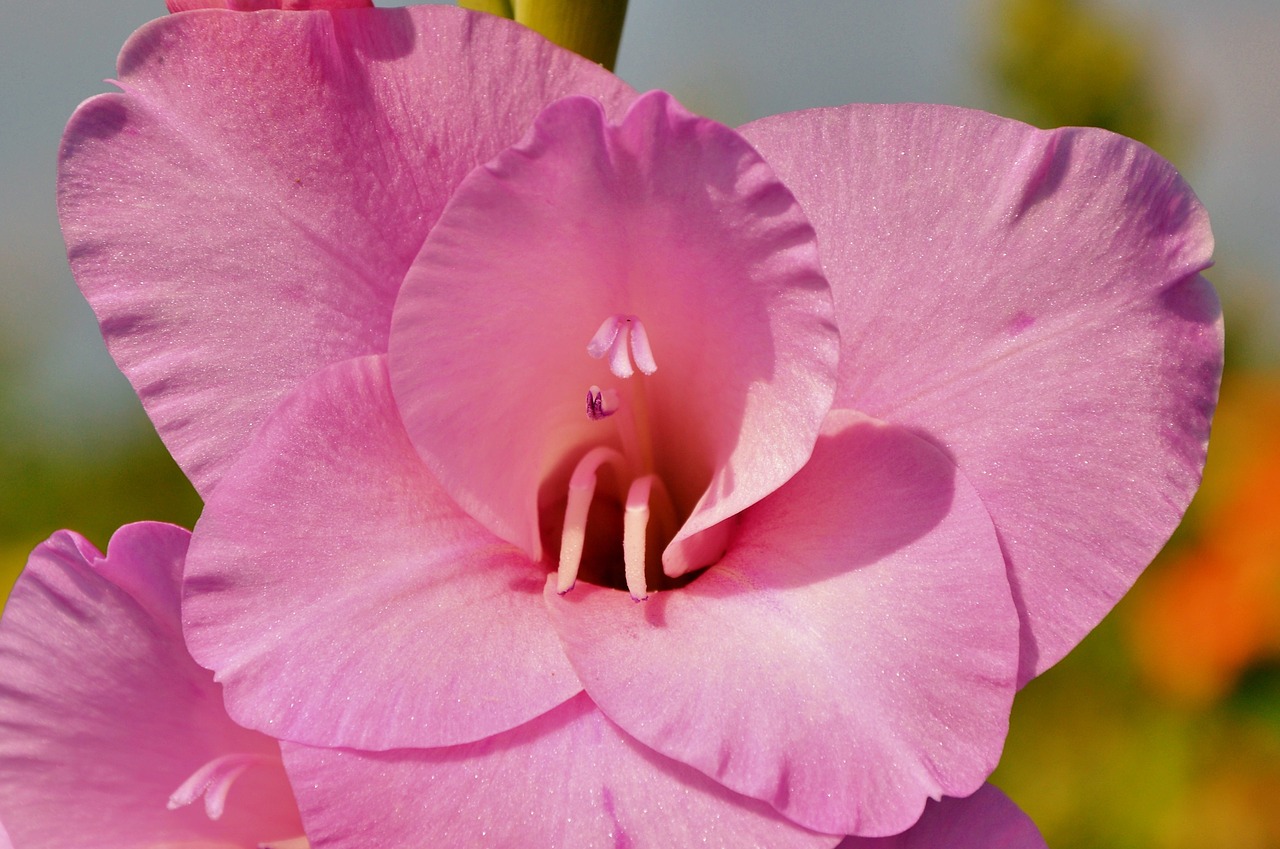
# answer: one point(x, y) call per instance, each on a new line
point(853, 655)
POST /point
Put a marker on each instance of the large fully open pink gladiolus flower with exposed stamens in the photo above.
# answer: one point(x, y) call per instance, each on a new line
point(470, 348)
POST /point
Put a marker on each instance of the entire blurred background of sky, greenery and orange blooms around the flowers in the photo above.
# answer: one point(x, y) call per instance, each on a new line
point(1163, 731)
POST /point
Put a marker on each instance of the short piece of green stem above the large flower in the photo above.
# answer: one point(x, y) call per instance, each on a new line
point(592, 29)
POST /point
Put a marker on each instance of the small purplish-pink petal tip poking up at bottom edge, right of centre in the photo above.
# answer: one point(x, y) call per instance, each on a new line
point(988, 820)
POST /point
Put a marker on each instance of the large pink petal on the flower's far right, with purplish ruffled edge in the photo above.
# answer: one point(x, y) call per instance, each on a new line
point(1031, 302)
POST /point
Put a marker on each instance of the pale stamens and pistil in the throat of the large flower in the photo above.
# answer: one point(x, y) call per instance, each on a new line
point(627, 344)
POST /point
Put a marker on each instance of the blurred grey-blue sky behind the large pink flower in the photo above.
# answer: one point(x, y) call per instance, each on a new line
point(732, 60)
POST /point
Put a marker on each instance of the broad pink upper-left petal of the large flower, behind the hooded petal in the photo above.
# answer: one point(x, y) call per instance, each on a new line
point(244, 213)
